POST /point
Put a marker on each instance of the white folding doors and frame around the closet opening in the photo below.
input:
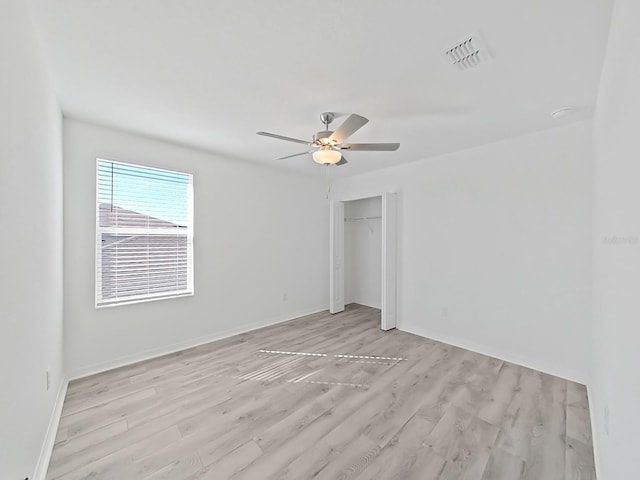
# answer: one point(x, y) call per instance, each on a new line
point(389, 257)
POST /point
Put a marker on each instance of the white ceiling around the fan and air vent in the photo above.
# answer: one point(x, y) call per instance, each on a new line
point(210, 74)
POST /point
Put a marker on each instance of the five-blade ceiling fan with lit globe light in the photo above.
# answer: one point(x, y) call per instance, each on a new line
point(327, 146)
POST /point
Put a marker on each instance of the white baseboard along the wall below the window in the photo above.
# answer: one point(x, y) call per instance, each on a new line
point(100, 367)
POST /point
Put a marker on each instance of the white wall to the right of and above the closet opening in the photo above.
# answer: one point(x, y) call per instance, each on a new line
point(494, 247)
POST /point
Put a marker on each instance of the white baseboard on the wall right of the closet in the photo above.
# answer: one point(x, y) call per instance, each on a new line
point(495, 353)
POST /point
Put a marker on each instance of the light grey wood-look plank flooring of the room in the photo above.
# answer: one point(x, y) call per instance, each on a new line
point(324, 397)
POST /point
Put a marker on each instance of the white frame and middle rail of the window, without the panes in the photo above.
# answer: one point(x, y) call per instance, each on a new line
point(119, 230)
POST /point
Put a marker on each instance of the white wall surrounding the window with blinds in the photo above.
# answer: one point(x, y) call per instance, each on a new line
point(259, 234)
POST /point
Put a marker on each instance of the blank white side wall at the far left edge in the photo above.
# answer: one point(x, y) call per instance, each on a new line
point(30, 246)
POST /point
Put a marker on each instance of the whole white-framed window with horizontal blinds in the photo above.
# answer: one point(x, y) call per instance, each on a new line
point(144, 233)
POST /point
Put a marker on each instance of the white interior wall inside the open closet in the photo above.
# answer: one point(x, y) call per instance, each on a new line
point(363, 252)
